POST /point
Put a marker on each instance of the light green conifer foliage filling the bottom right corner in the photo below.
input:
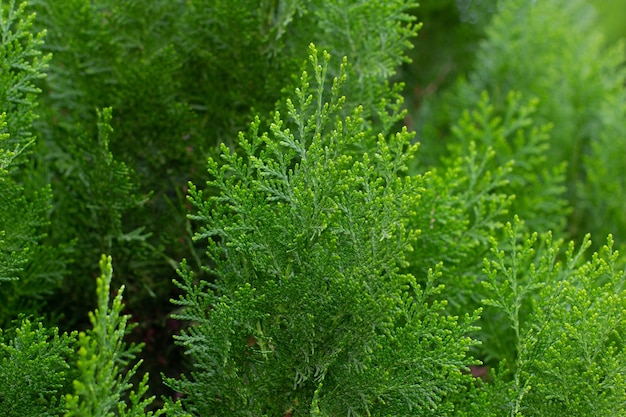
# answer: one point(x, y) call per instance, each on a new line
point(567, 319)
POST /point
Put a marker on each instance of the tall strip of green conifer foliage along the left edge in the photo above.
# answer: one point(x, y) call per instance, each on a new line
point(31, 267)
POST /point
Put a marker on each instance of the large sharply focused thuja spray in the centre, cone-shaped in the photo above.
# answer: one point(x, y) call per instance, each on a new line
point(312, 313)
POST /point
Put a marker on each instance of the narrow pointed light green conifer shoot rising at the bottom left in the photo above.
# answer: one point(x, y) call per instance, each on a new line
point(102, 378)
